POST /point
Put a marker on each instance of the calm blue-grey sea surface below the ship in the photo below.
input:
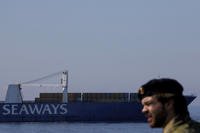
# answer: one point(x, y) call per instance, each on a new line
point(66, 127)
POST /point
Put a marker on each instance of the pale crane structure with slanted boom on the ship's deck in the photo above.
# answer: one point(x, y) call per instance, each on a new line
point(14, 94)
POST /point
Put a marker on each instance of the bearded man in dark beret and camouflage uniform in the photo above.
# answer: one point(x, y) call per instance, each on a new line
point(165, 106)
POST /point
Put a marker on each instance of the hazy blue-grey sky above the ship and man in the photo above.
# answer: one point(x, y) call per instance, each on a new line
point(106, 45)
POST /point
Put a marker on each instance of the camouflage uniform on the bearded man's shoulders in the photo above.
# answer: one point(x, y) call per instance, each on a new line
point(182, 125)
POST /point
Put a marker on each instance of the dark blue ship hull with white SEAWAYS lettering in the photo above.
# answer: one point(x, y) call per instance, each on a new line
point(74, 112)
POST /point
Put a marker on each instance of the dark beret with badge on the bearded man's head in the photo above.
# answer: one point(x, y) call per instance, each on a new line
point(164, 86)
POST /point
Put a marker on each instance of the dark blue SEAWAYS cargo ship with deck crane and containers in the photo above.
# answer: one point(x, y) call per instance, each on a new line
point(71, 107)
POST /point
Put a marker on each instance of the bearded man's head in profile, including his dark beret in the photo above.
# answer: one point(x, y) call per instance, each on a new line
point(162, 99)
